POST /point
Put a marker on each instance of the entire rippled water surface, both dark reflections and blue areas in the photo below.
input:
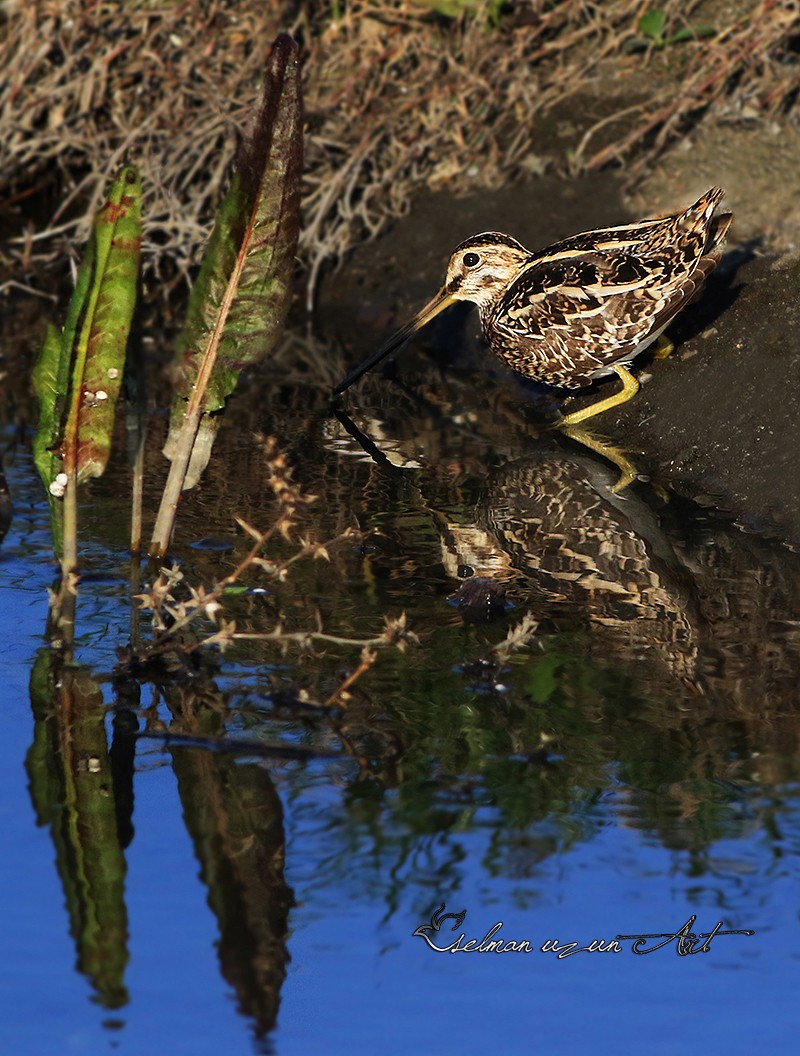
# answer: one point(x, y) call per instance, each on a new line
point(627, 766)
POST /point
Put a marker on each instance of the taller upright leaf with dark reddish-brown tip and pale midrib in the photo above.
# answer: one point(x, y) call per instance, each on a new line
point(242, 295)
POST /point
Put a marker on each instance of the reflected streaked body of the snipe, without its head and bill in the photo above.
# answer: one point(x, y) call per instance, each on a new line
point(595, 555)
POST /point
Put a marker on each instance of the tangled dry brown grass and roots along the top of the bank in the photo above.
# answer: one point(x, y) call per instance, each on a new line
point(397, 98)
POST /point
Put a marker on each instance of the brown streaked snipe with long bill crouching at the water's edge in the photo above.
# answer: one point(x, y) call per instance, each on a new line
point(585, 307)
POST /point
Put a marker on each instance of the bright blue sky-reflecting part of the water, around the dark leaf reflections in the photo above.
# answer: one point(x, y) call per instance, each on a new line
point(369, 869)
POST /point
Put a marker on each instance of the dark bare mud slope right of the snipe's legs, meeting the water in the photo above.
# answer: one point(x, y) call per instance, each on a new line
point(721, 420)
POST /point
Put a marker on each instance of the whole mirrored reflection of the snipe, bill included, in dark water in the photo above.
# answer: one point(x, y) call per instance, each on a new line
point(551, 534)
